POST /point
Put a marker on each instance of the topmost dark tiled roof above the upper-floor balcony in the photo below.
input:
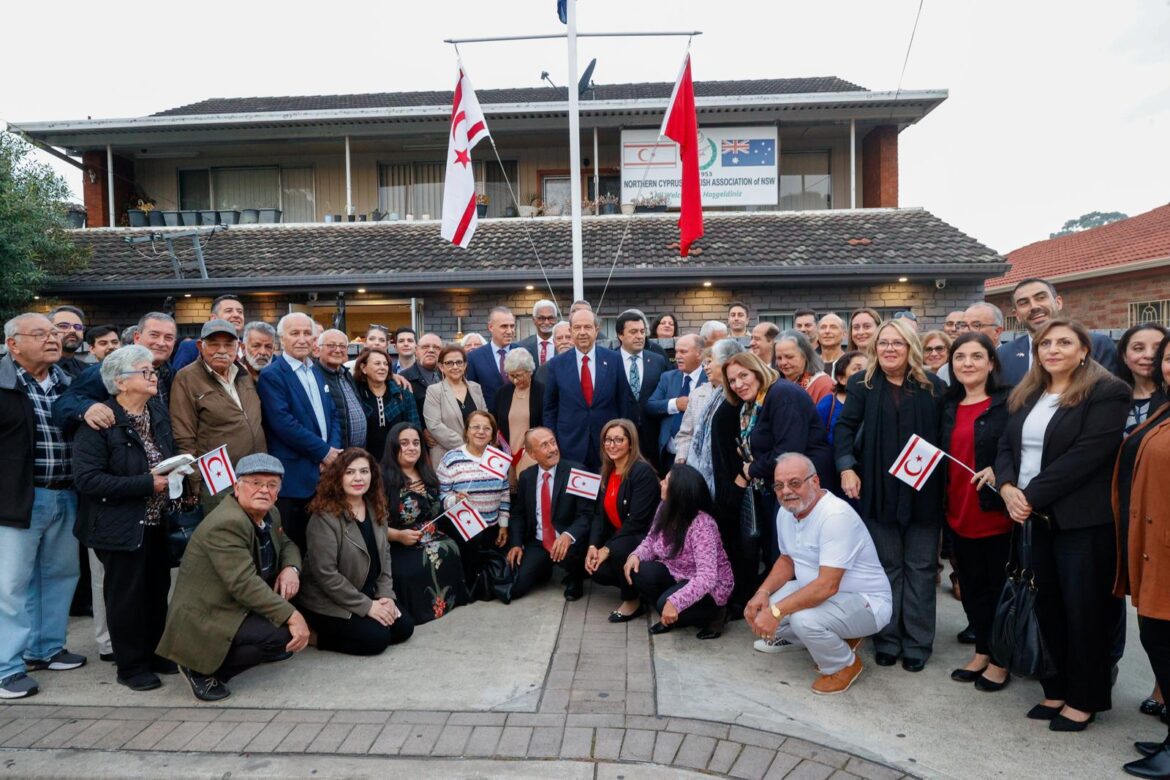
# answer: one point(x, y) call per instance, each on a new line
point(645, 91)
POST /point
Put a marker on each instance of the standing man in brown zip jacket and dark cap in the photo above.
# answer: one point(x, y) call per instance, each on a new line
point(215, 402)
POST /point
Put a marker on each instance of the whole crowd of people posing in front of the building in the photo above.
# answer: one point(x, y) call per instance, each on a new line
point(745, 474)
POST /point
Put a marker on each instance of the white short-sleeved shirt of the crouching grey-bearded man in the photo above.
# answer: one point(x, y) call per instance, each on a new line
point(834, 535)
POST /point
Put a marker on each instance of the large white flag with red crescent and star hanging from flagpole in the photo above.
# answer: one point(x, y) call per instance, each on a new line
point(467, 129)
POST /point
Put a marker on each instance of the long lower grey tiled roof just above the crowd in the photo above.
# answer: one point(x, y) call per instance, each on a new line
point(807, 246)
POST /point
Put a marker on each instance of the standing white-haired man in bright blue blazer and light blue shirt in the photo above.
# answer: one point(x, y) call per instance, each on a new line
point(302, 425)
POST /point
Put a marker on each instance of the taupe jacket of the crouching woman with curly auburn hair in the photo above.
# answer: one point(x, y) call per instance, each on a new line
point(338, 564)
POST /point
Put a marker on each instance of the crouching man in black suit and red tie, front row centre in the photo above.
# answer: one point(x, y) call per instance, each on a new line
point(548, 524)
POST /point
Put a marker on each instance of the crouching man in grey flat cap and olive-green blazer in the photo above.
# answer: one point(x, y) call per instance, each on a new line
point(231, 610)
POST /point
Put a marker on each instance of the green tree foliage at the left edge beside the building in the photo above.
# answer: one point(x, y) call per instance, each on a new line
point(33, 240)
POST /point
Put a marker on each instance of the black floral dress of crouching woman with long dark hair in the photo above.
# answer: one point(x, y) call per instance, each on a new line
point(429, 576)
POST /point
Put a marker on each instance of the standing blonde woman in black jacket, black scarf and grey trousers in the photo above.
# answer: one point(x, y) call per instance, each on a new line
point(893, 401)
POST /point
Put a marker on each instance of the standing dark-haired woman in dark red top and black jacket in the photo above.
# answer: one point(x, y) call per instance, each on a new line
point(975, 416)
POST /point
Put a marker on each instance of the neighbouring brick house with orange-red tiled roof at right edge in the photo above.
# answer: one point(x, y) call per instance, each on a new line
point(1110, 278)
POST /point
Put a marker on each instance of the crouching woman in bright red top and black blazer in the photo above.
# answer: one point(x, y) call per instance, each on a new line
point(625, 510)
